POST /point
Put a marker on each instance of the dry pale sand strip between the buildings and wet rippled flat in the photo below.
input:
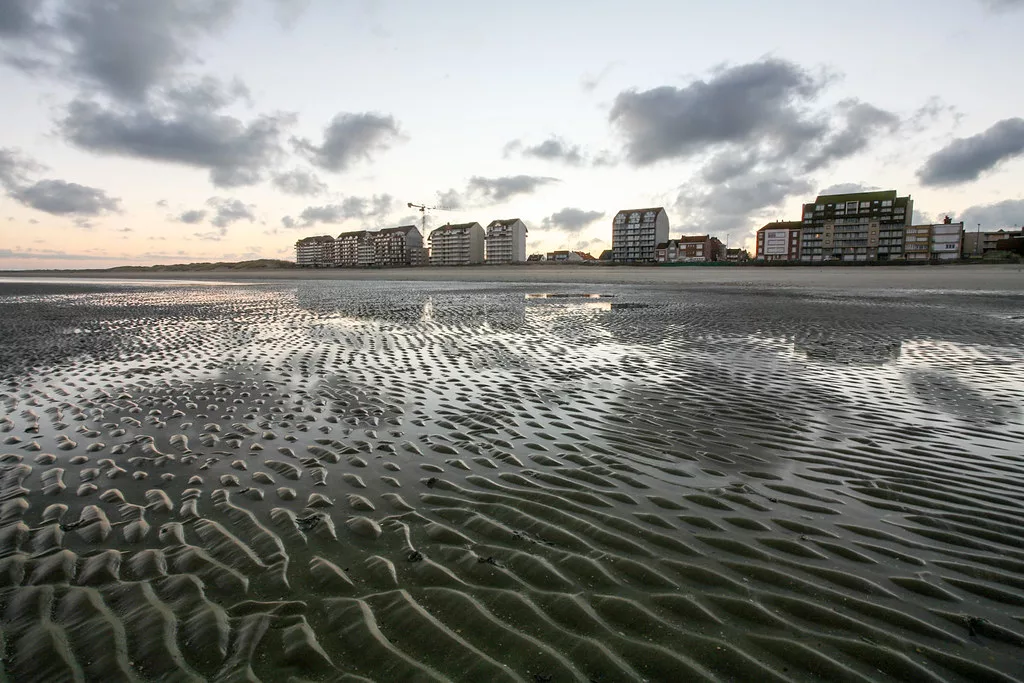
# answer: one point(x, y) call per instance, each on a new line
point(991, 277)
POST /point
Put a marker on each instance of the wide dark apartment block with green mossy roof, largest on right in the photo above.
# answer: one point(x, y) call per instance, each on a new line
point(856, 227)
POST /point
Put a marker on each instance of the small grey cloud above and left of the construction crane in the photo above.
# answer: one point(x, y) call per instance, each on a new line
point(351, 139)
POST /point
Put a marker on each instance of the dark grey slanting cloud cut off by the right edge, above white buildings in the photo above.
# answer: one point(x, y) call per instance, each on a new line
point(966, 159)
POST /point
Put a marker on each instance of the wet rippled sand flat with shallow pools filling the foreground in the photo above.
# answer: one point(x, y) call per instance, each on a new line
point(338, 481)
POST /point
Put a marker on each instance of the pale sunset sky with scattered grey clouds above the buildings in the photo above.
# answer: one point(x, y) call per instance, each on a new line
point(138, 133)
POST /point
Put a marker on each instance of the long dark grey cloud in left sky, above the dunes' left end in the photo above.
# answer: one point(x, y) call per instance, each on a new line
point(235, 153)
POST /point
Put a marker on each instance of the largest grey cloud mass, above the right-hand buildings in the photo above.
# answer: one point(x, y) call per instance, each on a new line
point(756, 134)
